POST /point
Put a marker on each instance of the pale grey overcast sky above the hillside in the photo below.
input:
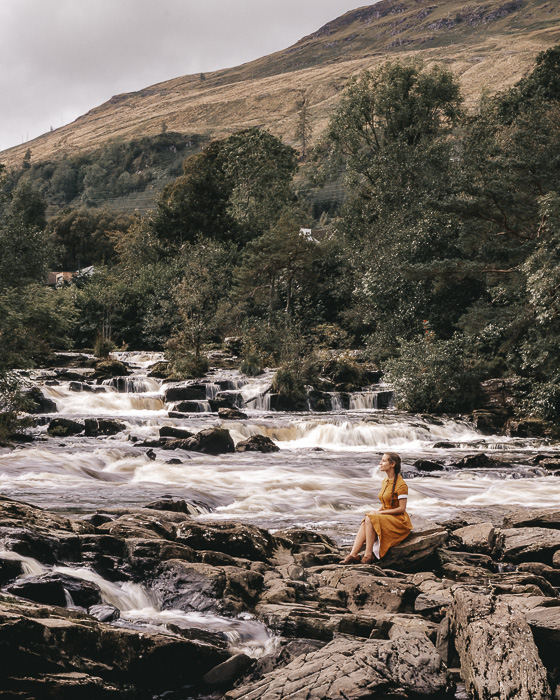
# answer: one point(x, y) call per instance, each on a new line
point(61, 58)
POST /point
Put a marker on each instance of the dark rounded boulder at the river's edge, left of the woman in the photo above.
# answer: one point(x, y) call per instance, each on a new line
point(235, 539)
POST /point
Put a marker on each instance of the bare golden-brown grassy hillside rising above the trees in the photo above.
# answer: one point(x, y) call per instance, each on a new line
point(489, 44)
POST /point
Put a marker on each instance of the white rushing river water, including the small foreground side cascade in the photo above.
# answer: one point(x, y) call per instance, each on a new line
point(324, 477)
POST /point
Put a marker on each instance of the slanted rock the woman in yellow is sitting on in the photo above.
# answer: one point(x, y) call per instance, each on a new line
point(418, 549)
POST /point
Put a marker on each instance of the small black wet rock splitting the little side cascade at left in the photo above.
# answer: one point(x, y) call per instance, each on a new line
point(52, 589)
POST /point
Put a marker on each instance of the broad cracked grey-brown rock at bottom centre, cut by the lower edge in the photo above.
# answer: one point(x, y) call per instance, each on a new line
point(357, 669)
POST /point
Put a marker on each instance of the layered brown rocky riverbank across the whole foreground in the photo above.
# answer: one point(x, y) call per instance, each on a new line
point(464, 594)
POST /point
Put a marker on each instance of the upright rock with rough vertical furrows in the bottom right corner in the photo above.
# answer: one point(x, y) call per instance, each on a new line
point(499, 658)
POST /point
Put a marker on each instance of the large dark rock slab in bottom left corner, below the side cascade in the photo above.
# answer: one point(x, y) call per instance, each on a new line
point(36, 640)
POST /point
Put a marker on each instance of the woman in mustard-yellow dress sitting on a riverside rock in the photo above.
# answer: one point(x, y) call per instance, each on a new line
point(390, 524)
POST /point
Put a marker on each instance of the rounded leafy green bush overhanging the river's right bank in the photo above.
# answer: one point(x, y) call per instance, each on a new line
point(435, 376)
